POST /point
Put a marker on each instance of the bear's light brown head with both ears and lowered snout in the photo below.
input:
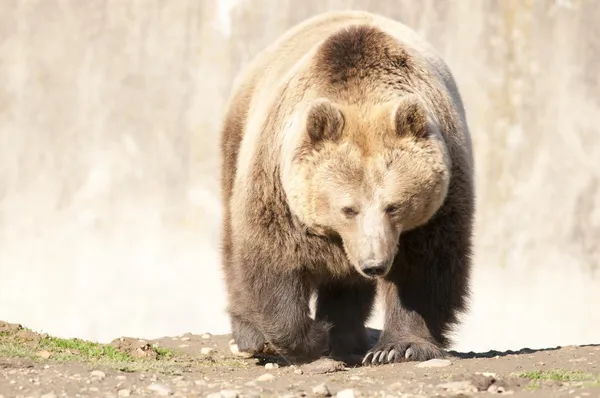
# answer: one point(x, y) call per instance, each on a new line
point(365, 174)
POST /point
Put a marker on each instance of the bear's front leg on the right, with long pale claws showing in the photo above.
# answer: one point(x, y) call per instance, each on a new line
point(426, 290)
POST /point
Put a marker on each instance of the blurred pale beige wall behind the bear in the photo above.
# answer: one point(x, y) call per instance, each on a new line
point(109, 191)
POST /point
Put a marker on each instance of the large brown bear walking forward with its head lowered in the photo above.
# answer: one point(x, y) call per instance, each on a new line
point(347, 171)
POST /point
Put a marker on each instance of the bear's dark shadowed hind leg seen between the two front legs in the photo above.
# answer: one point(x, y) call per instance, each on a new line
point(346, 305)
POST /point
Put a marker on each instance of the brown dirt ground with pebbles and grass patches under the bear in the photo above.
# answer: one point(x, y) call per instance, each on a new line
point(37, 365)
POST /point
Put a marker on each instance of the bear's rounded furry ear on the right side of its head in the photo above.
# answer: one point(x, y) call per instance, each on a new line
point(410, 117)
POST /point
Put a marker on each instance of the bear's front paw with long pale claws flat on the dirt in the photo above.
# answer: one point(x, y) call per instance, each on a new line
point(401, 351)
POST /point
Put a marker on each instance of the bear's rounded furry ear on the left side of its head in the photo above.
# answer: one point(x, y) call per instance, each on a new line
point(324, 121)
